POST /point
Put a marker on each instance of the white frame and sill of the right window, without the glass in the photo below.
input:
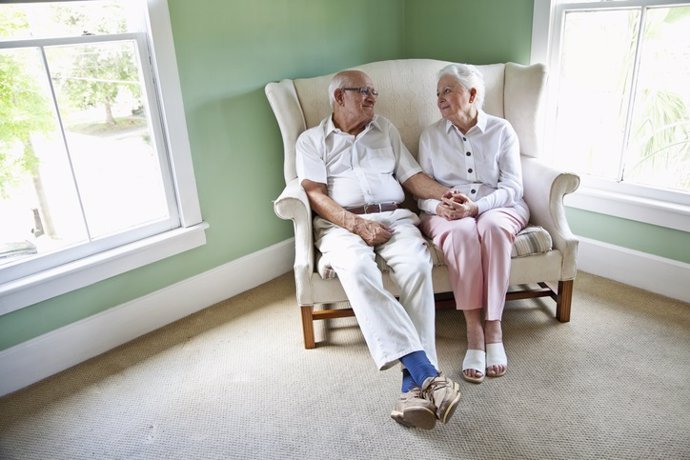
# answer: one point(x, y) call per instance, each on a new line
point(620, 199)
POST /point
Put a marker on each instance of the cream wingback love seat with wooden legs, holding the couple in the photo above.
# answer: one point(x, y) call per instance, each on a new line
point(544, 255)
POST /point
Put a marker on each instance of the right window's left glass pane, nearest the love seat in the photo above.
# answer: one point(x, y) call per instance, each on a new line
point(596, 63)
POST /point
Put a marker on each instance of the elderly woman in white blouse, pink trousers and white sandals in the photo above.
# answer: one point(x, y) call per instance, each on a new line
point(478, 156)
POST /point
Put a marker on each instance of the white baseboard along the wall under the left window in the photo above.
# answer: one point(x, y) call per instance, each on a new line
point(55, 351)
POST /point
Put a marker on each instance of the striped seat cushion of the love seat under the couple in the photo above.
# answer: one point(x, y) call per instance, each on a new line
point(531, 240)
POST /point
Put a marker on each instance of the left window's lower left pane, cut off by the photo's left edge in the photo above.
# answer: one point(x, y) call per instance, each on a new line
point(39, 206)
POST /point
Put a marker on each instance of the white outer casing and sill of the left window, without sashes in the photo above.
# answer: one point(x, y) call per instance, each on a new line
point(49, 283)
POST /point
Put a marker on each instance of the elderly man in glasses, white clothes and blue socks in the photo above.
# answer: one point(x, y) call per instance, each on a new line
point(352, 166)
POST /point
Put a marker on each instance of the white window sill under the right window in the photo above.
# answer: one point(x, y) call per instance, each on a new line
point(649, 211)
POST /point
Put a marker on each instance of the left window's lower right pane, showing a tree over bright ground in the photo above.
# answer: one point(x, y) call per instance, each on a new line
point(111, 145)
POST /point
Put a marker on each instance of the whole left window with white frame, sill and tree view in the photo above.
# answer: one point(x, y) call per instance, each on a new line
point(95, 177)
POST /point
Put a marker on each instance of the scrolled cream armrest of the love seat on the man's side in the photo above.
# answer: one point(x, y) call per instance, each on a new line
point(293, 204)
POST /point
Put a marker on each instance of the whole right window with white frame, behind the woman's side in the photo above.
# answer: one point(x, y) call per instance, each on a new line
point(618, 106)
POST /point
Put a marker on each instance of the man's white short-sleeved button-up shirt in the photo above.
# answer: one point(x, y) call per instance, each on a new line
point(358, 170)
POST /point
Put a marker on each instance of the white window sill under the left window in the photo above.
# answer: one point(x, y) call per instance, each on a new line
point(81, 273)
